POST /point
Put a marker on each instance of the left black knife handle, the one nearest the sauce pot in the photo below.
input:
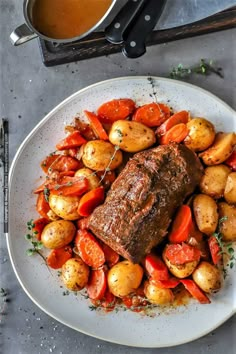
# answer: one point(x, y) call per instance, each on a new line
point(114, 33)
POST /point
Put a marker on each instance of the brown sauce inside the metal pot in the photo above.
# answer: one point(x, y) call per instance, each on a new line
point(63, 19)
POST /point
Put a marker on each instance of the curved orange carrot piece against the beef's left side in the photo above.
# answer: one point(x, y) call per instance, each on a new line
point(90, 201)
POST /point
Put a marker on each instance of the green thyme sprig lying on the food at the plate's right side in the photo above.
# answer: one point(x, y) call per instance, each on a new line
point(226, 249)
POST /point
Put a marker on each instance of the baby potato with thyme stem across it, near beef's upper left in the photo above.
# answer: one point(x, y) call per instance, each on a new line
point(98, 154)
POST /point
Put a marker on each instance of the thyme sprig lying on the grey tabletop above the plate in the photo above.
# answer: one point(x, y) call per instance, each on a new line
point(203, 68)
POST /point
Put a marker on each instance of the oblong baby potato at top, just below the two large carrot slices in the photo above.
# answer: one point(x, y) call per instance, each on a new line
point(131, 136)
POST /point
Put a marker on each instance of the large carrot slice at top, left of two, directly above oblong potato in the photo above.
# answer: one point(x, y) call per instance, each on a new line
point(116, 109)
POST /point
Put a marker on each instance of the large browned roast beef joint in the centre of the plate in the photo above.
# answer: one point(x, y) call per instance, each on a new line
point(143, 199)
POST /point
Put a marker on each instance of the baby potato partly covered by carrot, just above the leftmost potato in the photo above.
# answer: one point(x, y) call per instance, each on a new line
point(65, 206)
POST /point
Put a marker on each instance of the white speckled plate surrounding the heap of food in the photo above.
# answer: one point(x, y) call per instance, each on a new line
point(166, 329)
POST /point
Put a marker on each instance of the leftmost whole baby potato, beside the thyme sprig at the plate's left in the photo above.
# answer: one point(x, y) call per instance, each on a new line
point(58, 234)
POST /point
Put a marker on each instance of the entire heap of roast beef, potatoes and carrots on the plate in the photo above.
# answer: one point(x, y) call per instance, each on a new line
point(136, 234)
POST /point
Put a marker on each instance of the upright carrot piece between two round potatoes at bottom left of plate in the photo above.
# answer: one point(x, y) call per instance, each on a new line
point(97, 284)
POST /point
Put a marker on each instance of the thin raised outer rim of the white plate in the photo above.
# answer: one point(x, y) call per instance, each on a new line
point(11, 171)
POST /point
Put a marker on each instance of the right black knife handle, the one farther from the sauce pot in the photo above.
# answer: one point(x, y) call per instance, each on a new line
point(134, 45)
